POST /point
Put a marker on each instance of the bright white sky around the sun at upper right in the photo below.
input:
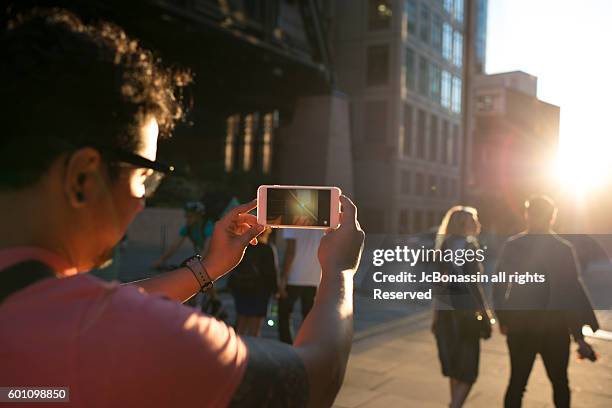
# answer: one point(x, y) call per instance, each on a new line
point(567, 44)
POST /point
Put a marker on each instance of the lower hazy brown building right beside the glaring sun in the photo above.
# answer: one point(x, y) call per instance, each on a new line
point(514, 146)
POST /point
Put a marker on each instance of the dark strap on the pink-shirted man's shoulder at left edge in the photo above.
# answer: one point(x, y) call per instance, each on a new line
point(22, 275)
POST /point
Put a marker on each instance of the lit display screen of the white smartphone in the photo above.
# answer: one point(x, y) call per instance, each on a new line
point(293, 206)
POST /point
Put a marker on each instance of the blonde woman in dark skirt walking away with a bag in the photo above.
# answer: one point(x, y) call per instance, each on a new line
point(460, 317)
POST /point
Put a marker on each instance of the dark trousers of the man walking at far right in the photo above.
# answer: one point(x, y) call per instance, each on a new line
point(554, 347)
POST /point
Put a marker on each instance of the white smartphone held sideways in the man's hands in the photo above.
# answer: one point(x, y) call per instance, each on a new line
point(298, 206)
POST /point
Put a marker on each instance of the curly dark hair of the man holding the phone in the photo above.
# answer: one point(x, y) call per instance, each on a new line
point(61, 79)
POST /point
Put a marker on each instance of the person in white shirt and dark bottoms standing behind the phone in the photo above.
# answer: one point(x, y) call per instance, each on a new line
point(300, 277)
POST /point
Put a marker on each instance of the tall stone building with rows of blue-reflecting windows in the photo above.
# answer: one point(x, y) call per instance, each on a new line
point(401, 63)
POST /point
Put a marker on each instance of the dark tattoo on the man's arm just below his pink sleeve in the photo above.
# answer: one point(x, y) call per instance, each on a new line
point(275, 377)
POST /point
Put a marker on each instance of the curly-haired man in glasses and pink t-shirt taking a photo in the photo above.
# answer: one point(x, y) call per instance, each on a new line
point(83, 106)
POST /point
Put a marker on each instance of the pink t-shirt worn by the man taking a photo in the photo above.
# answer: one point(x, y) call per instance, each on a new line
point(112, 345)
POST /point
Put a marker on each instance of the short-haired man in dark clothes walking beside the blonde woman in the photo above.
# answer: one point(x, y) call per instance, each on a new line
point(539, 317)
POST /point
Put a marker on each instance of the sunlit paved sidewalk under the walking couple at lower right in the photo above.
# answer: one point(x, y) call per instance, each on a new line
point(397, 366)
